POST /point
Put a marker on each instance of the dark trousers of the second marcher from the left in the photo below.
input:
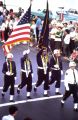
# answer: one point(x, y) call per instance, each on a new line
point(26, 81)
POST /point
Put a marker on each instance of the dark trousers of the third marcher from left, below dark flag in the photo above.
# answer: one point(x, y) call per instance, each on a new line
point(42, 77)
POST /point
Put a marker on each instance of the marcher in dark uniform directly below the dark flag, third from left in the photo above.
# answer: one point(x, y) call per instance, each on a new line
point(43, 70)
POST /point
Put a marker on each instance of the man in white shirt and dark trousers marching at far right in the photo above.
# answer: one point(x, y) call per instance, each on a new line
point(71, 82)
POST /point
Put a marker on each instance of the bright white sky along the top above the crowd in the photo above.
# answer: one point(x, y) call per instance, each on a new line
point(41, 4)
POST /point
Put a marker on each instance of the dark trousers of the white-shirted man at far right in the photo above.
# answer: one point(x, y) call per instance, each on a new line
point(72, 90)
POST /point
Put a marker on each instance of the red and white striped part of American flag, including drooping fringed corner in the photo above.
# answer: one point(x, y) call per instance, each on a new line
point(20, 33)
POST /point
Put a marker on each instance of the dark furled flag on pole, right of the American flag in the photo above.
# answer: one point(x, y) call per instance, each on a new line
point(43, 42)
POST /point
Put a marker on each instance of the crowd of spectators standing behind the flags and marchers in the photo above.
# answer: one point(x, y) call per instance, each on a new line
point(63, 35)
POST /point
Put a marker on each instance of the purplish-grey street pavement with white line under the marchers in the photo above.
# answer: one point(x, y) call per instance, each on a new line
point(39, 107)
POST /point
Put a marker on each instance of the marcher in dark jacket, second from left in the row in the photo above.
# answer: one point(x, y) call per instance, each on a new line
point(26, 73)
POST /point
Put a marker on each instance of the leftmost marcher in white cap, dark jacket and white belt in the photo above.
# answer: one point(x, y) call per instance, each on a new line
point(9, 70)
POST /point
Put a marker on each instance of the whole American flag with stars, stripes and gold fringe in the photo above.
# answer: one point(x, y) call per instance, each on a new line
point(20, 33)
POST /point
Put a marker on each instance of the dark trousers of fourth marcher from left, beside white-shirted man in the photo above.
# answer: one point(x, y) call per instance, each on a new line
point(56, 76)
